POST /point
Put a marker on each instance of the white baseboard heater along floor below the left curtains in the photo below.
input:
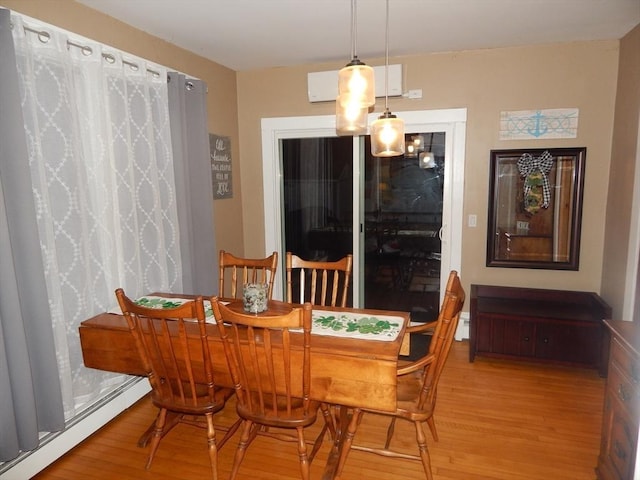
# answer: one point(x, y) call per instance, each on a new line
point(54, 445)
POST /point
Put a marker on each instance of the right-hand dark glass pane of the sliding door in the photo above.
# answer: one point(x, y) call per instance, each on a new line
point(403, 200)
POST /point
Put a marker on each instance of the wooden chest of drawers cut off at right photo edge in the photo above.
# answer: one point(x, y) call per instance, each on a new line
point(621, 413)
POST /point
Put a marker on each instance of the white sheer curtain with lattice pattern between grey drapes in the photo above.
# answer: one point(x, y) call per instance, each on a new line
point(99, 142)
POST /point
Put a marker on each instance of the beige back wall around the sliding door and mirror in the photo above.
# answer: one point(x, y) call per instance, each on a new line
point(579, 75)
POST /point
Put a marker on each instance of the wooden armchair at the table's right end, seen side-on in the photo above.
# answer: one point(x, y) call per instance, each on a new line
point(417, 387)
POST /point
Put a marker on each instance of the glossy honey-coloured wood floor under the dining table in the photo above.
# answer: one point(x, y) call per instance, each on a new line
point(497, 420)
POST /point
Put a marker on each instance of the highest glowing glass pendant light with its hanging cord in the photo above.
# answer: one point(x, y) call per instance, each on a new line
point(356, 80)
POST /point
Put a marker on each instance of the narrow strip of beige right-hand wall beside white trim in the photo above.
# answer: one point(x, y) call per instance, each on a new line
point(624, 157)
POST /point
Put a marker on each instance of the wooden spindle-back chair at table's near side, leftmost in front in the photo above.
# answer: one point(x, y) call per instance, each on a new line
point(173, 346)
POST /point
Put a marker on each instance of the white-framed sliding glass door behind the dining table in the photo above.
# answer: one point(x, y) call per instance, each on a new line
point(326, 196)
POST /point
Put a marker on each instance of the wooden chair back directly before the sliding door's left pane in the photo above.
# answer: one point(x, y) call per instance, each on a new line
point(321, 283)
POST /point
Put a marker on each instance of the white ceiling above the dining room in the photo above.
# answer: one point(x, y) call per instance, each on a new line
point(251, 34)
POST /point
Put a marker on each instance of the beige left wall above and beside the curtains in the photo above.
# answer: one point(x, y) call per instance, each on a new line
point(221, 81)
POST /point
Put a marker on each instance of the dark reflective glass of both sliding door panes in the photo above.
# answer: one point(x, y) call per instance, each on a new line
point(401, 215)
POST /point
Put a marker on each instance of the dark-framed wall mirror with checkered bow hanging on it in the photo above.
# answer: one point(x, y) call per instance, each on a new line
point(535, 208)
